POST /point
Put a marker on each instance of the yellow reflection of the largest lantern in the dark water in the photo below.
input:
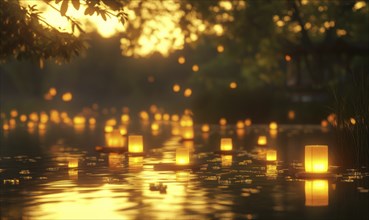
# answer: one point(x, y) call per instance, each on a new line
point(316, 193)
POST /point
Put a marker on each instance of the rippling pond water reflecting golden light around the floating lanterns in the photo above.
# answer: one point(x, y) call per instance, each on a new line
point(79, 183)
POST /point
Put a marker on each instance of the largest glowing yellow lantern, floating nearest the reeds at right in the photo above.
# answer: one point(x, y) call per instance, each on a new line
point(316, 158)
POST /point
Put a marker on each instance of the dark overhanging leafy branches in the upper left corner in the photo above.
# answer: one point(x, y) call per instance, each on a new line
point(25, 34)
